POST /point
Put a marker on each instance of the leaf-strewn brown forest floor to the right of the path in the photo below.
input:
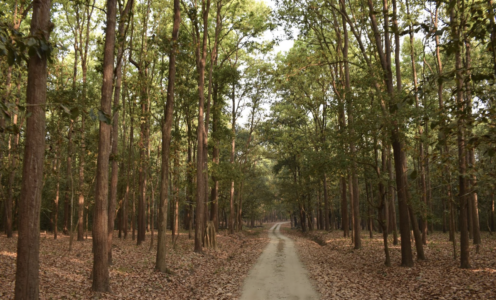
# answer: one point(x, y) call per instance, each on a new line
point(340, 272)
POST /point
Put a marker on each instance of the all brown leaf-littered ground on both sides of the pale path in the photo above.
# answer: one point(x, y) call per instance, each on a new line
point(336, 270)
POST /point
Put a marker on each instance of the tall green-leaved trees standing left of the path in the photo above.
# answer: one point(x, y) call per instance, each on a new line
point(98, 161)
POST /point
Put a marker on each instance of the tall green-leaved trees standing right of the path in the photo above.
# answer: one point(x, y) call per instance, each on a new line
point(420, 105)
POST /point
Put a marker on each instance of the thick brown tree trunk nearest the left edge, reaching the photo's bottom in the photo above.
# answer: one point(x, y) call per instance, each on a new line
point(28, 245)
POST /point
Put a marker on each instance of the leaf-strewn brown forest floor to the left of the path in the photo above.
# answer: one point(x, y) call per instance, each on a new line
point(211, 275)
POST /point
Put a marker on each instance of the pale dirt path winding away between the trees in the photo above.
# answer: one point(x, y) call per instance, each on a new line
point(278, 273)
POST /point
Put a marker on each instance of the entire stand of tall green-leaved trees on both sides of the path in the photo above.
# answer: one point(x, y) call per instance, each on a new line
point(361, 133)
